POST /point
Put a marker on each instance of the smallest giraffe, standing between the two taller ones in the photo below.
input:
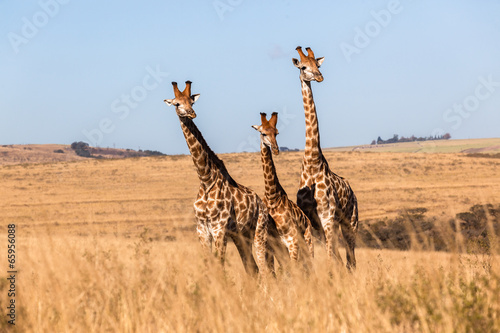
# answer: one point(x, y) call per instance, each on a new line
point(293, 227)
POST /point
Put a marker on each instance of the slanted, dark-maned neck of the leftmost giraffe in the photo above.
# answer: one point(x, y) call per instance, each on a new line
point(206, 162)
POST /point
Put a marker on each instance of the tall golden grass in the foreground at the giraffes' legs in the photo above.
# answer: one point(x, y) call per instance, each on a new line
point(110, 284)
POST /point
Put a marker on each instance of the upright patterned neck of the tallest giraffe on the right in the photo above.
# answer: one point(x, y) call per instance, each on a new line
point(312, 151)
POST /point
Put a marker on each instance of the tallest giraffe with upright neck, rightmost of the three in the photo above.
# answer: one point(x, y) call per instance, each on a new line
point(326, 198)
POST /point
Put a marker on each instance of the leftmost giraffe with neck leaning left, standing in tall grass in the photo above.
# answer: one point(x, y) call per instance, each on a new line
point(223, 207)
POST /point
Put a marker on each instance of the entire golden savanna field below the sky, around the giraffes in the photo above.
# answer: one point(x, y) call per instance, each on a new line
point(109, 245)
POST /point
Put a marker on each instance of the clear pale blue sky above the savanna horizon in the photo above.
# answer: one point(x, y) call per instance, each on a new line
point(99, 72)
